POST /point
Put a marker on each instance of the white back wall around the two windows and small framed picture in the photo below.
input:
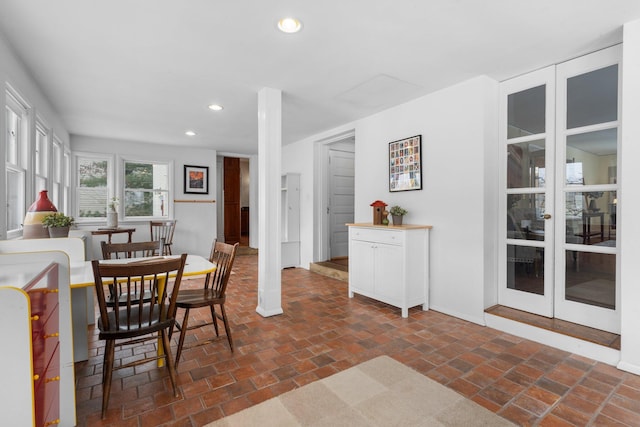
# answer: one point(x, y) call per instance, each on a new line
point(196, 227)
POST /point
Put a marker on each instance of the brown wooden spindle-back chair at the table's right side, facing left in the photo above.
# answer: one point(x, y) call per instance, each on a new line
point(213, 293)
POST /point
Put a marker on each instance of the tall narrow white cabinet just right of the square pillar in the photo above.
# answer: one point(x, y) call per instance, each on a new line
point(290, 220)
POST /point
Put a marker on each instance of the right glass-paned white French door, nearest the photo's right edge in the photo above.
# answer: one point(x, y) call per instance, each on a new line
point(587, 290)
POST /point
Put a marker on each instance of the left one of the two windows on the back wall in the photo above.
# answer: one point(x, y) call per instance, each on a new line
point(92, 186)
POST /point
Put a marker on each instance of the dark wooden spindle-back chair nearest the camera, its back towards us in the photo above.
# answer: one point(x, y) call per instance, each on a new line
point(135, 320)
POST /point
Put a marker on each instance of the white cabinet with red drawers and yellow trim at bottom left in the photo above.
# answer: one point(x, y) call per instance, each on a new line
point(35, 326)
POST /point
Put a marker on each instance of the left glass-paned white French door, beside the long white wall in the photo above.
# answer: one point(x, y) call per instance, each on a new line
point(527, 181)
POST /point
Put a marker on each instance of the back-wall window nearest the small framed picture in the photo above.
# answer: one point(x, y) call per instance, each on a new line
point(146, 189)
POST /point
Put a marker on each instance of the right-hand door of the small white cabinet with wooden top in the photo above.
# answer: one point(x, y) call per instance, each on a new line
point(388, 271)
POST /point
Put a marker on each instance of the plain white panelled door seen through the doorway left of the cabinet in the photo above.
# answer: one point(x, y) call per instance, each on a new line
point(341, 200)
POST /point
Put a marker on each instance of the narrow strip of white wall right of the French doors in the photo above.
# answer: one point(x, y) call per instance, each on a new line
point(628, 229)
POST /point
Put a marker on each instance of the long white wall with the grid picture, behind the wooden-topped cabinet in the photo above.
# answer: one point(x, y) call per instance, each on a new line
point(459, 160)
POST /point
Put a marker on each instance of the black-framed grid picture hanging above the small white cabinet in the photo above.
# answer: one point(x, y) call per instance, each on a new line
point(405, 164)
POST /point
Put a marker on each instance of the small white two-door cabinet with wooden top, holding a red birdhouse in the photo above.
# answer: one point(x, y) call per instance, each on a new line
point(390, 264)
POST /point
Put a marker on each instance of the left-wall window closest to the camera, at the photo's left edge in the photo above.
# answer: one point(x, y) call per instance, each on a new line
point(16, 162)
